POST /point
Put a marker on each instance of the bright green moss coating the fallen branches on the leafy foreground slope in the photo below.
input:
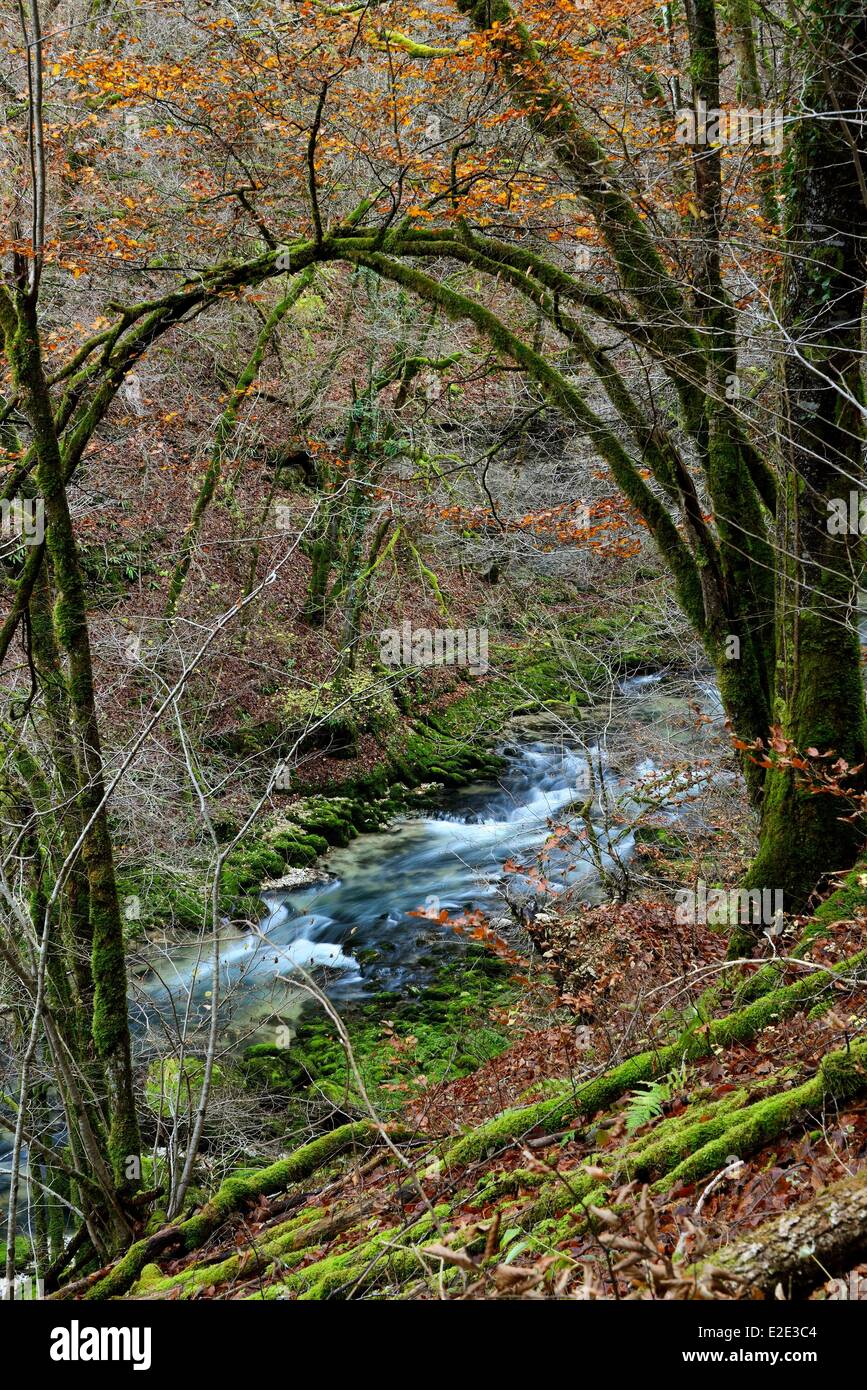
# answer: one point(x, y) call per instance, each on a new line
point(677, 1150)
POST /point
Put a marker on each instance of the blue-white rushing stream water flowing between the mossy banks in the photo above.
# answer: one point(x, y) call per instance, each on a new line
point(373, 928)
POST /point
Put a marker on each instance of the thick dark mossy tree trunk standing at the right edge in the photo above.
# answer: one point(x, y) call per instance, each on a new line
point(819, 693)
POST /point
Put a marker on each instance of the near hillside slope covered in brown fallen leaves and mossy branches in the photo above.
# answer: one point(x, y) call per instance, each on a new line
point(633, 1149)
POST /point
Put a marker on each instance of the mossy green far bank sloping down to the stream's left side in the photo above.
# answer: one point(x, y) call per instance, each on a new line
point(416, 744)
